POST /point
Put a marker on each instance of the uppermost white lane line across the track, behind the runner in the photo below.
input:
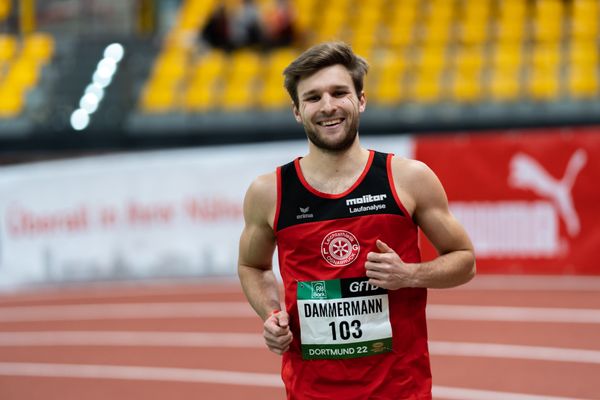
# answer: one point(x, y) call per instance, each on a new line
point(242, 310)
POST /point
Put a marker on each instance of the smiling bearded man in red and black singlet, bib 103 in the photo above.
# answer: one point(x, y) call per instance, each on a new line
point(345, 222)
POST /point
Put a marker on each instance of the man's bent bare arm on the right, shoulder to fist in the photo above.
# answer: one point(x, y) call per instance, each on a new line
point(426, 199)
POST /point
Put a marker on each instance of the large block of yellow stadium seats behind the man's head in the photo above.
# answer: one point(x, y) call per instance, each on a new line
point(422, 51)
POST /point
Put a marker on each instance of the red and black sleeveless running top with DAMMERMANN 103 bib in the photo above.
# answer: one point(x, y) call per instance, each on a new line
point(352, 340)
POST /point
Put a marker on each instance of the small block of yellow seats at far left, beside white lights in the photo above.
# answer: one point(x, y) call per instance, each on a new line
point(21, 63)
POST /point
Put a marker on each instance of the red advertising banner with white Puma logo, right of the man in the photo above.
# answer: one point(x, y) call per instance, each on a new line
point(530, 199)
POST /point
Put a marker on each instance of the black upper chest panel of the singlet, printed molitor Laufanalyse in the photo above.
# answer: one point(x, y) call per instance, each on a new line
point(372, 196)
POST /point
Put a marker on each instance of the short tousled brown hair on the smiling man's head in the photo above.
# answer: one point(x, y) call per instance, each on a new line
point(321, 56)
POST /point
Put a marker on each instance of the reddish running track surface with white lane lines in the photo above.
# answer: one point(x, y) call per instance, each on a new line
point(516, 338)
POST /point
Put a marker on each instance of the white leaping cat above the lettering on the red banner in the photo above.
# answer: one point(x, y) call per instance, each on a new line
point(527, 173)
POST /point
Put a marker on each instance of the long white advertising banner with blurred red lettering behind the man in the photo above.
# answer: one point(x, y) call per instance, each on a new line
point(136, 215)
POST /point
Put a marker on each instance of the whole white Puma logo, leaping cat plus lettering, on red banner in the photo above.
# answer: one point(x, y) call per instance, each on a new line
point(520, 228)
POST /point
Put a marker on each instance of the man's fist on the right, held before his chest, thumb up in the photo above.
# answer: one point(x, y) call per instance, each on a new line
point(386, 270)
